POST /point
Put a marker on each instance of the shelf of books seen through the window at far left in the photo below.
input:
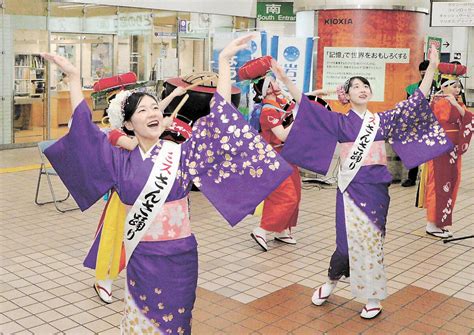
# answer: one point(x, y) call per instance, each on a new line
point(29, 80)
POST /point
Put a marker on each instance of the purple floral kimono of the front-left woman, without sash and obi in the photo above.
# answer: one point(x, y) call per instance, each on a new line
point(230, 163)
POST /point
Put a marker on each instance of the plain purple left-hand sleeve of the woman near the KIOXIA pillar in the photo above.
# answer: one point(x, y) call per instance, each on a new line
point(312, 138)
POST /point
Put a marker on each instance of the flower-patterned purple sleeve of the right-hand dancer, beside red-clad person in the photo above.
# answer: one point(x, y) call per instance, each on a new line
point(414, 132)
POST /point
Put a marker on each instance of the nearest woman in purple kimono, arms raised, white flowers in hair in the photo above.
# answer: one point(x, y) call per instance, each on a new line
point(222, 155)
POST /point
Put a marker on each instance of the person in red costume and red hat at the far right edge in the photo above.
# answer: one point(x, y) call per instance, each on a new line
point(441, 176)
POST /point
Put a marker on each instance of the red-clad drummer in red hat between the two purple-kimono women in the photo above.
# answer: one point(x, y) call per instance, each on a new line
point(275, 117)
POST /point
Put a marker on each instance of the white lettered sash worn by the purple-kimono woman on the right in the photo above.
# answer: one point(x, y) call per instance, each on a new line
point(359, 150)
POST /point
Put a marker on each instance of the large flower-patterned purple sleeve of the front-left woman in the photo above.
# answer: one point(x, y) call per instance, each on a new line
point(231, 164)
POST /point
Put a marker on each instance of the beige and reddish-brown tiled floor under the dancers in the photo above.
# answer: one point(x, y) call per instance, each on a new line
point(44, 288)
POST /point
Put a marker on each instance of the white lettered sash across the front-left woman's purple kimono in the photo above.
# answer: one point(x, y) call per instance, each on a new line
point(153, 195)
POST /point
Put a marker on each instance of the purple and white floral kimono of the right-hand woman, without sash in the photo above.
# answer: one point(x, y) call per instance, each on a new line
point(361, 210)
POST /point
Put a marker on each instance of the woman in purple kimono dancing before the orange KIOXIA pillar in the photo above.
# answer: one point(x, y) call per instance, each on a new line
point(362, 197)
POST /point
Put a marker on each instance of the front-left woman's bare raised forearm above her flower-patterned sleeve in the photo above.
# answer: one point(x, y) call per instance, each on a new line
point(224, 85)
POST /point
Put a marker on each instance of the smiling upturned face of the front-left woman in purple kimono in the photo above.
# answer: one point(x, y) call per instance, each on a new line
point(145, 121)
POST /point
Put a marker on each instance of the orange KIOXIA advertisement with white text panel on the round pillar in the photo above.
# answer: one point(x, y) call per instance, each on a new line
point(384, 46)
